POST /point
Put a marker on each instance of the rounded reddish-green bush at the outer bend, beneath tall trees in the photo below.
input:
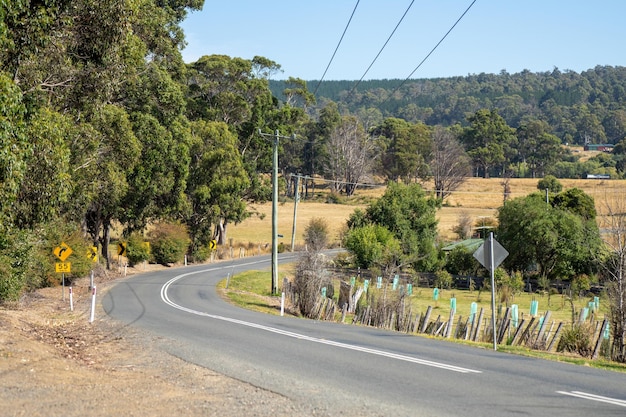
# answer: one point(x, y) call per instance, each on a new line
point(168, 243)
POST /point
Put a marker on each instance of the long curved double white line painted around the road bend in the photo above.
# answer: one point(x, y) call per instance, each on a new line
point(166, 300)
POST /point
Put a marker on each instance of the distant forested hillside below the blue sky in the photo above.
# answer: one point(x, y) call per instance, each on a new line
point(586, 107)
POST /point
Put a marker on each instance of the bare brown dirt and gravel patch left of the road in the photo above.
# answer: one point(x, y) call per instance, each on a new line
point(53, 362)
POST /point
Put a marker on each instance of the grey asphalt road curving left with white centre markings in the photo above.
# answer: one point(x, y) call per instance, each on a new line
point(348, 369)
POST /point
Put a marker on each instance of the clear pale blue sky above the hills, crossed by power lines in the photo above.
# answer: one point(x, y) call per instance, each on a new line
point(494, 35)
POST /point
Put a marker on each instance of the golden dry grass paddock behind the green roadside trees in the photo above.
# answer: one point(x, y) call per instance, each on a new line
point(477, 197)
